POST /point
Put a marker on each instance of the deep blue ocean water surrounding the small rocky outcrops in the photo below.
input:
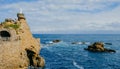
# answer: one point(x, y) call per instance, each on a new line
point(65, 55)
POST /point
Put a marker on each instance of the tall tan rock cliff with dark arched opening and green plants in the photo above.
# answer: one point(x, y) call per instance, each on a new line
point(18, 48)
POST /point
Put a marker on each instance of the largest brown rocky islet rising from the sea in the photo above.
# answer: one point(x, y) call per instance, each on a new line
point(98, 47)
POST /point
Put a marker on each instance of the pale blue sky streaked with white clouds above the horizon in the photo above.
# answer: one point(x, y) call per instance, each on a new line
point(66, 16)
